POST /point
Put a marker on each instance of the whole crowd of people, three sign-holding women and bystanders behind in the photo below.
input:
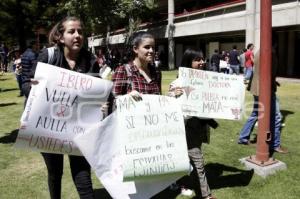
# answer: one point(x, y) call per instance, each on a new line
point(136, 72)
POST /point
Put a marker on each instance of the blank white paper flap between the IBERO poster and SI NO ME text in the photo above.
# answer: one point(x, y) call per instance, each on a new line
point(101, 147)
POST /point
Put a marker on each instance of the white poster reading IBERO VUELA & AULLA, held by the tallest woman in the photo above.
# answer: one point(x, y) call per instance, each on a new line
point(62, 105)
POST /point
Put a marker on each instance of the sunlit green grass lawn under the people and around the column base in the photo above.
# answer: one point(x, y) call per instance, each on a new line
point(23, 173)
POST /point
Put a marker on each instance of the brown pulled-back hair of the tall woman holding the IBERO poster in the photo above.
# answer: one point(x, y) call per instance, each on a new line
point(58, 29)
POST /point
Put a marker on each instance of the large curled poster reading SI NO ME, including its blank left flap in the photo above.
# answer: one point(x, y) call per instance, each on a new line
point(142, 143)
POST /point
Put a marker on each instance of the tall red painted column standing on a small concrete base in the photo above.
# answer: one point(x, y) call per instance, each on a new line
point(262, 149)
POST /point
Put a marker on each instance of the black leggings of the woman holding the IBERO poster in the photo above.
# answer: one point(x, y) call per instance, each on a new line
point(81, 174)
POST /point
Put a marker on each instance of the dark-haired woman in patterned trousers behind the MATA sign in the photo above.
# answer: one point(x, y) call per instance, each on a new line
point(197, 130)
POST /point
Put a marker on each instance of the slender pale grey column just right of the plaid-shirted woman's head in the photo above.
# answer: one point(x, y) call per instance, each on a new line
point(171, 30)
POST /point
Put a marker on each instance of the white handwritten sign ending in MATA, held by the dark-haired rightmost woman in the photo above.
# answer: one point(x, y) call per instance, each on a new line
point(211, 95)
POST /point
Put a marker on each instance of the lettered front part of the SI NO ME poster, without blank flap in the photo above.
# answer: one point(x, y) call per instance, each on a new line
point(154, 136)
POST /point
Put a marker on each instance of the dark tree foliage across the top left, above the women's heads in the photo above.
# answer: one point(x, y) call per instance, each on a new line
point(20, 19)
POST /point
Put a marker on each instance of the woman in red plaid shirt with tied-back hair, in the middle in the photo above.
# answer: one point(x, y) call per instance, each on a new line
point(139, 75)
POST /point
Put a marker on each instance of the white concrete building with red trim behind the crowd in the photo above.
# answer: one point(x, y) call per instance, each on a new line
point(222, 24)
